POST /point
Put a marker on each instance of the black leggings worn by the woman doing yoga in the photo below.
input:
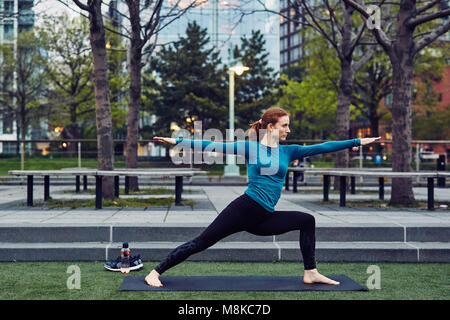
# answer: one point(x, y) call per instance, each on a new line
point(245, 214)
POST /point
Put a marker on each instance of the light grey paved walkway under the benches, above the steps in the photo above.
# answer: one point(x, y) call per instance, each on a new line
point(211, 200)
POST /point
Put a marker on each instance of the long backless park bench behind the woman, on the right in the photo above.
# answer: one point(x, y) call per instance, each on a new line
point(379, 173)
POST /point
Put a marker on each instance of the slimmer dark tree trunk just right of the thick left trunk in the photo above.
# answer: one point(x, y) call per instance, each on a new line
point(134, 70)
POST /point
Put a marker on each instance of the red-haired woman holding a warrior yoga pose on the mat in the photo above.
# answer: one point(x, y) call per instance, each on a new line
point(254, 210)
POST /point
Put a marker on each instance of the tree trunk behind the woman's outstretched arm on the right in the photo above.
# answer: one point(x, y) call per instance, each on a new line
point(343, 114)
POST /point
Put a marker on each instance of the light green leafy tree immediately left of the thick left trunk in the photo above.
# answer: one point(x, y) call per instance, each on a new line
point(71, 93)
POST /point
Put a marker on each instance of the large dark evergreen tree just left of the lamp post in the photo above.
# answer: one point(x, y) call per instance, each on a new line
point(191, 85)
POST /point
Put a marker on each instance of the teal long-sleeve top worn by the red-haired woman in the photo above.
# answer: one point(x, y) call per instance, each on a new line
point(267, 166)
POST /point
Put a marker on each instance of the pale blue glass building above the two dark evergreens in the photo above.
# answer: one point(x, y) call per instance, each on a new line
point(228, 21)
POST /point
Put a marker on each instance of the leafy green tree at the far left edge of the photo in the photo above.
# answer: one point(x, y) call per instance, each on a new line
point(23, 77)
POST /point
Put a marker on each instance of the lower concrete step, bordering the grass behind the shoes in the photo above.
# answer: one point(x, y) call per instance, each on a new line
point(371, 252)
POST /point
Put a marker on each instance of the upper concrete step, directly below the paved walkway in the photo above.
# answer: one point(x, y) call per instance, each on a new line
point(55, 233)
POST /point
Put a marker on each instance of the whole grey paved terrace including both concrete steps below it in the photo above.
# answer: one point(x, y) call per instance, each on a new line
point(343, 234)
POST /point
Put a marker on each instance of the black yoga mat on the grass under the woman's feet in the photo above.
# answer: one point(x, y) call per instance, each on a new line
point(239, 283)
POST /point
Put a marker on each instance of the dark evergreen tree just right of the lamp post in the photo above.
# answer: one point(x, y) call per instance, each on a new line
point(254, 89)
